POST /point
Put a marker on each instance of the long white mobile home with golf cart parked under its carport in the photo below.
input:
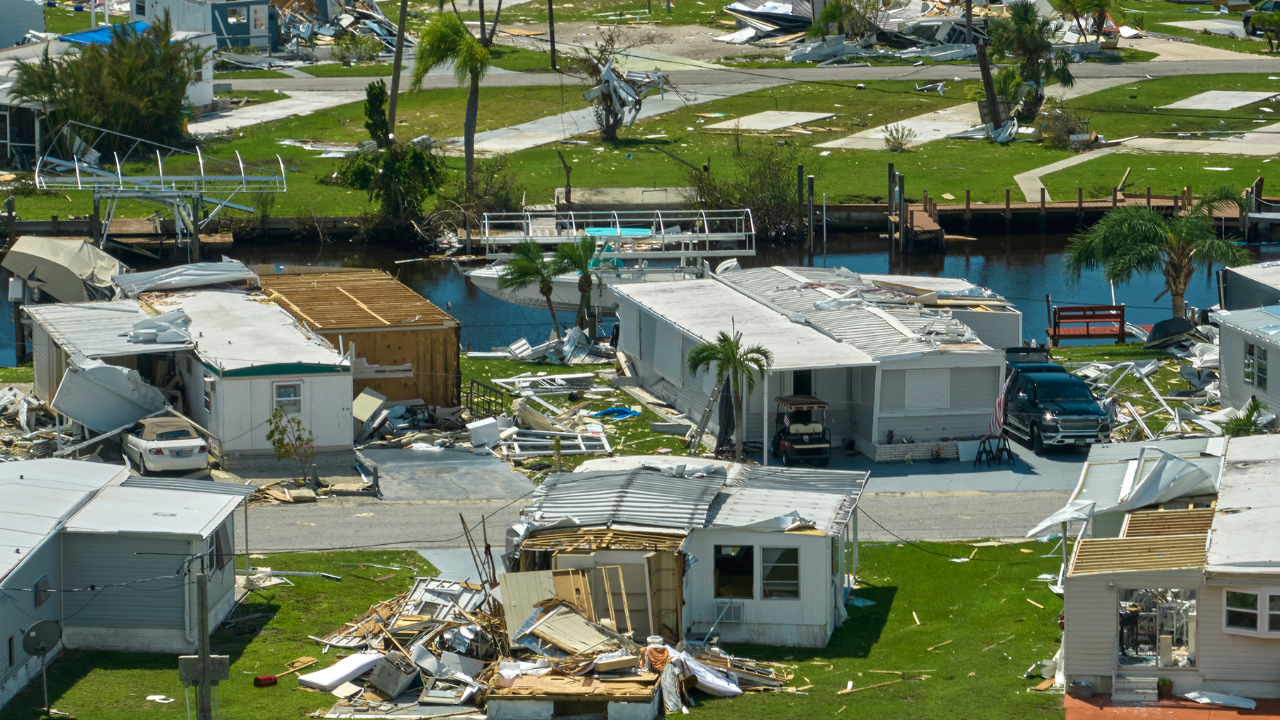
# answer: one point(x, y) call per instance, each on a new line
point(892, 372)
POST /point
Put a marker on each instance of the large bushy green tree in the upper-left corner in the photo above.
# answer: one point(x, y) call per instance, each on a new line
point(135, 85)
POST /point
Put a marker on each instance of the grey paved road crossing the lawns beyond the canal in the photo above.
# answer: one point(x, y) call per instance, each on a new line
point(783, 76)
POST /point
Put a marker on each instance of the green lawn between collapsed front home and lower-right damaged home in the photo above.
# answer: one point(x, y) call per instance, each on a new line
point(980, 609)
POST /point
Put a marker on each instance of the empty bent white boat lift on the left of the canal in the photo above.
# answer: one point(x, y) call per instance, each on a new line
point(182, 194)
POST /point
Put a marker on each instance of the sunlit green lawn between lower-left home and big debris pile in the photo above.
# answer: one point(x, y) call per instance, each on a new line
point(113, 686)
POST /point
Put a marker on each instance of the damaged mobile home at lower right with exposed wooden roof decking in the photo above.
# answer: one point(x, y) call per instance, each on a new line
point(1187, 595)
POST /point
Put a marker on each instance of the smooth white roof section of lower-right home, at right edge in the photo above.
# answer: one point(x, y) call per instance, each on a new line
point(1246, 536)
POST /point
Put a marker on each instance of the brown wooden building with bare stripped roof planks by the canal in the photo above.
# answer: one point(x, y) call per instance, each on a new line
point(406, 348)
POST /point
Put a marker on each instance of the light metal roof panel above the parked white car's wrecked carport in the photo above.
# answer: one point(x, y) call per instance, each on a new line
point(99, 330)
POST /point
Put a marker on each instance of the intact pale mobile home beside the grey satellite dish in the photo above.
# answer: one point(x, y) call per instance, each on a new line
point(113, 559)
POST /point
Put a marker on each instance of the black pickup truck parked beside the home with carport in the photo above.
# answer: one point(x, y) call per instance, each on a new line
point(1049, 407)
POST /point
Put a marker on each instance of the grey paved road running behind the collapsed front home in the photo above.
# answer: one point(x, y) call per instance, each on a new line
point(354, 523)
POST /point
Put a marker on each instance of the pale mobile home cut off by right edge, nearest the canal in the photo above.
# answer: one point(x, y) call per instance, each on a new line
point(1249, 340)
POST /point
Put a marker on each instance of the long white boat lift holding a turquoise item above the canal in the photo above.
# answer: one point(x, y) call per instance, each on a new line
point(627, 235)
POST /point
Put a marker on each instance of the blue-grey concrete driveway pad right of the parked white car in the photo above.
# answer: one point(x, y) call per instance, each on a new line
point(446, 476)
